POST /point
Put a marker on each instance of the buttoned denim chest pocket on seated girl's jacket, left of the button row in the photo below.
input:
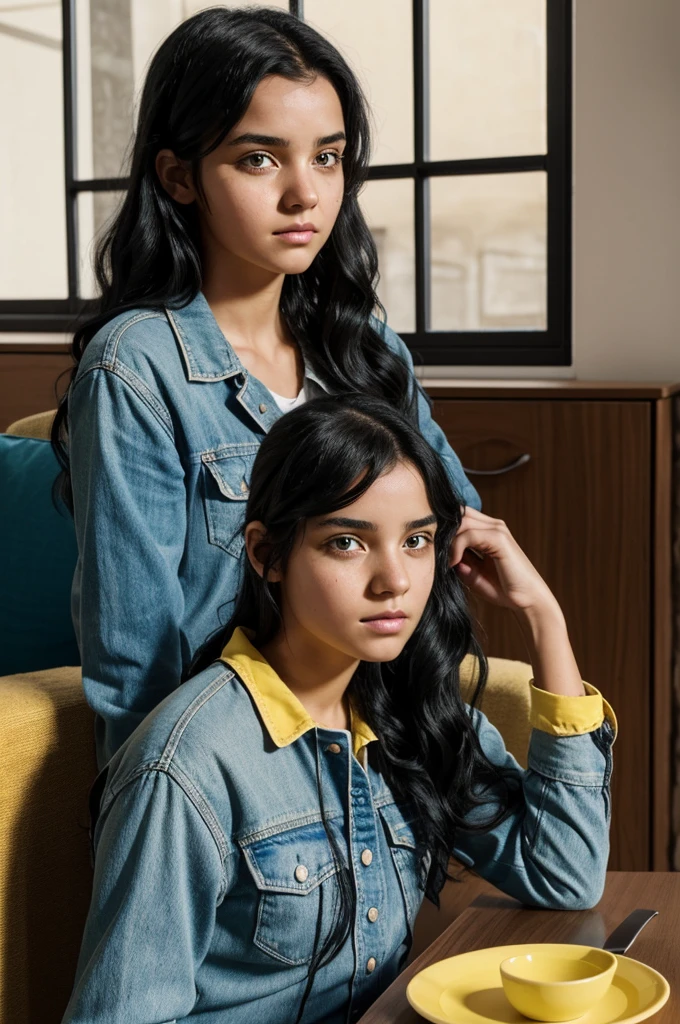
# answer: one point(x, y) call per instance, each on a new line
point(293, 872)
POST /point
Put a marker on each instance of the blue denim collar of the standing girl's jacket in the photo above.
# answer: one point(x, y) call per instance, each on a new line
point(207, 354)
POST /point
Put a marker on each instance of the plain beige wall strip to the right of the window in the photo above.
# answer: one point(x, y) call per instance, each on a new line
point(627, 190)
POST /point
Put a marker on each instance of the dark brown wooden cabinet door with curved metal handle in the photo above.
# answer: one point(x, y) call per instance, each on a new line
point(581, 508)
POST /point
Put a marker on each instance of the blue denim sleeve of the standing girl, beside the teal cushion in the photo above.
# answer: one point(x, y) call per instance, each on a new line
point(131, 518)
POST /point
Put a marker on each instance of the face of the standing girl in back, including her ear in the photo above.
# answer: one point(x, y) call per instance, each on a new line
point(275, 186)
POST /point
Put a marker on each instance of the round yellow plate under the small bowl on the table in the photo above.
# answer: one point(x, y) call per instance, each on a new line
point(467, 990)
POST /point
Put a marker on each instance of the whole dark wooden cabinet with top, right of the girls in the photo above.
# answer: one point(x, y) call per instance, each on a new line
point(592, 508)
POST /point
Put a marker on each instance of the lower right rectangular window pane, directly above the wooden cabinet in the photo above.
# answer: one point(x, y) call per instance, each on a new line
point(489, 252)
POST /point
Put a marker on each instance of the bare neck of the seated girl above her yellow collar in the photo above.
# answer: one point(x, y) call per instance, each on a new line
point(319, 677)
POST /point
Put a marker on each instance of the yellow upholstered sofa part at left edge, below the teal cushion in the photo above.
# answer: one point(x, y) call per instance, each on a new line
point(48, 765)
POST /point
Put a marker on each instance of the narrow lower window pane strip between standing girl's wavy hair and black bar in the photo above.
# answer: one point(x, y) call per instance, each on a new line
point(389, 207)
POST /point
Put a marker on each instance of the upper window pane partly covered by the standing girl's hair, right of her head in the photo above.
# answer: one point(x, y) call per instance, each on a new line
point(376, 39)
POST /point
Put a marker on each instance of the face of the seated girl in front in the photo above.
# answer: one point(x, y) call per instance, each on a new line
point(358, 581)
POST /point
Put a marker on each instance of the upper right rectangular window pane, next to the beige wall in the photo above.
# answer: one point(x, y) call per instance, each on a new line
point(488, 78)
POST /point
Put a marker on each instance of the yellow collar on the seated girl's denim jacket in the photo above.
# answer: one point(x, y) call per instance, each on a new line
point(284, 716)
